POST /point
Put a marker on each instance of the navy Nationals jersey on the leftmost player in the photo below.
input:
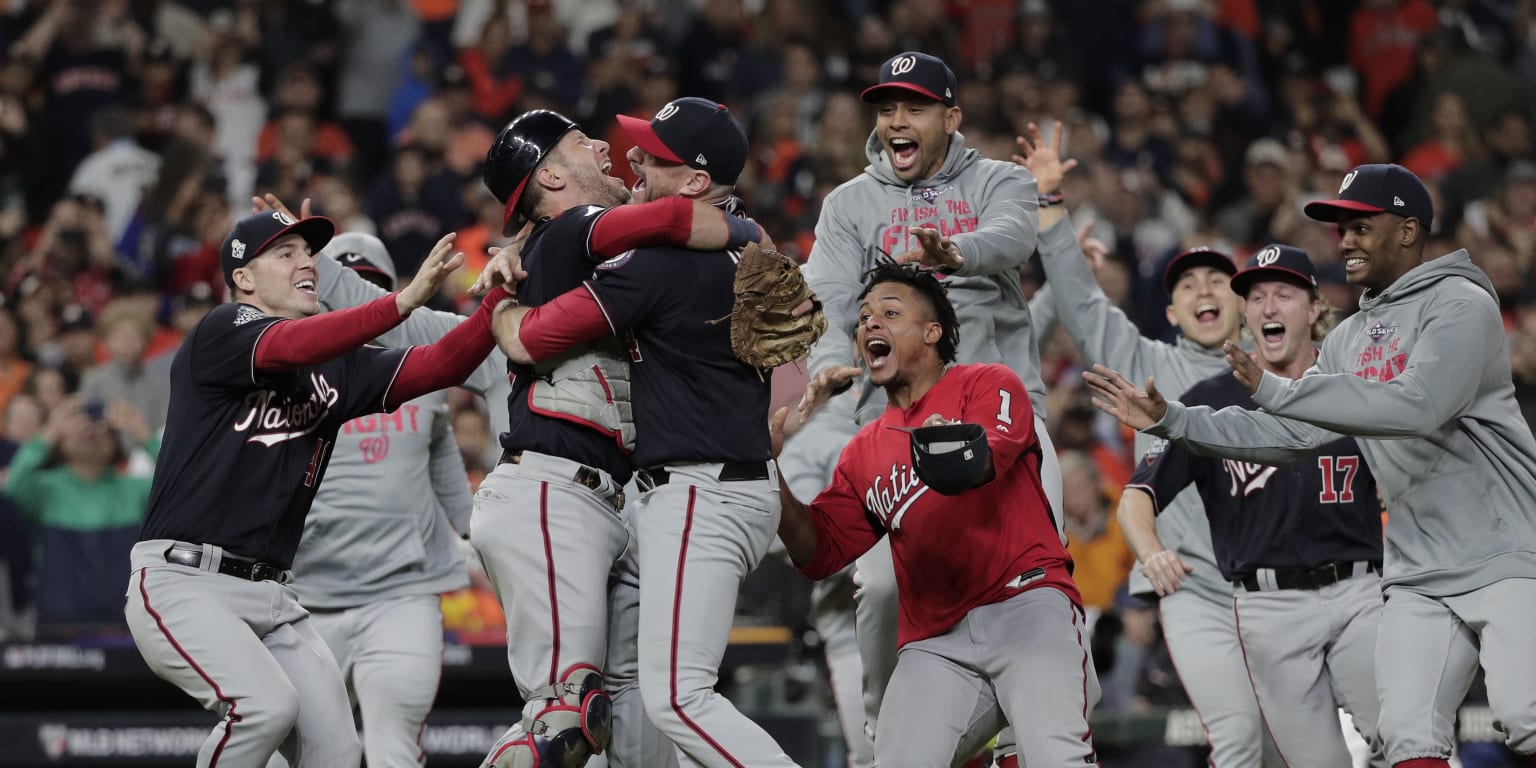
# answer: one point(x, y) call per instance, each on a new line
point(253, 446)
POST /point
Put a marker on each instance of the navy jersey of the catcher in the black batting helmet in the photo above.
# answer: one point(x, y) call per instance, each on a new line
point(558, 257)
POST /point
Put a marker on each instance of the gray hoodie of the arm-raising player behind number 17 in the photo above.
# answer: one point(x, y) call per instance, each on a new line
point(1104, 334)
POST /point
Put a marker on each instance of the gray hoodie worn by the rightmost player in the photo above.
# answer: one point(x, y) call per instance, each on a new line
point(1422, 379)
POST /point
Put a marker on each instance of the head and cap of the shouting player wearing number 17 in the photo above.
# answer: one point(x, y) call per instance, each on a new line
point(1280, 286)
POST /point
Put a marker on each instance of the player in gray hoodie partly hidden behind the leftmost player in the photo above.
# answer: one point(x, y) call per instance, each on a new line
point(382, 545)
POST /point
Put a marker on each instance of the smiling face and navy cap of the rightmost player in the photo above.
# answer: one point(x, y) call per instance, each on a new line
point(1383, 217)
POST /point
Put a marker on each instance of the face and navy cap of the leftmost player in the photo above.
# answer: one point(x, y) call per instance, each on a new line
point(270, 262)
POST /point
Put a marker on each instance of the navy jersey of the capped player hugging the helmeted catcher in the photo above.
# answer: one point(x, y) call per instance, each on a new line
point(694, 400)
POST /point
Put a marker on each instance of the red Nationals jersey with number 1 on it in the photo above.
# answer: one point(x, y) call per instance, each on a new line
point(952, 554)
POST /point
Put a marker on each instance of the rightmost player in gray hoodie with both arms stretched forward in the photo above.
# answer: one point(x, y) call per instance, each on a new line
point(1422, 379)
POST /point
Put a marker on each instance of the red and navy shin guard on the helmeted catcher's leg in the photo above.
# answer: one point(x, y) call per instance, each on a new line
point(568, 733)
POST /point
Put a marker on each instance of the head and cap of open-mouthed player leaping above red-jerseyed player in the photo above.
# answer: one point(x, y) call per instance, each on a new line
point(915, 113)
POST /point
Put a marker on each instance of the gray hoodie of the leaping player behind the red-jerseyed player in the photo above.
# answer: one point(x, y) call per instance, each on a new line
point(987, 207)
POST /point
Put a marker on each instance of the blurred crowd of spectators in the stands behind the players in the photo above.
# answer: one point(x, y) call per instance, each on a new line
point(134, 131)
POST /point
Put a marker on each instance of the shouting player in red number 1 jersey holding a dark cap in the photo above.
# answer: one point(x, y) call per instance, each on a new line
point(991, 624)
